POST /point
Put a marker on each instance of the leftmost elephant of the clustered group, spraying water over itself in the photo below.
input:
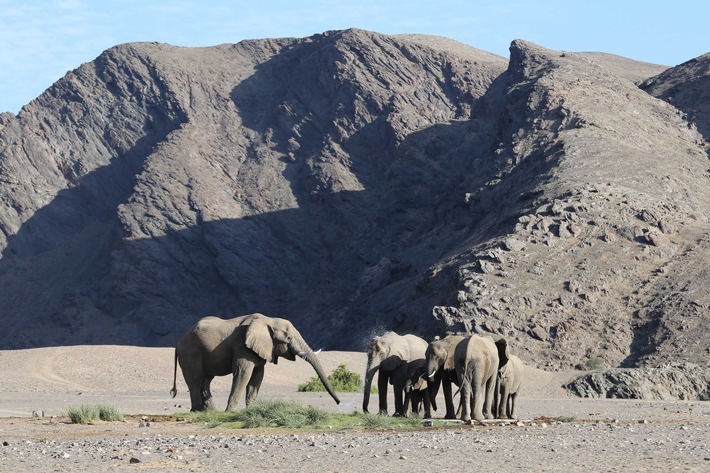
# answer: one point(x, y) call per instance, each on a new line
point(389, 354)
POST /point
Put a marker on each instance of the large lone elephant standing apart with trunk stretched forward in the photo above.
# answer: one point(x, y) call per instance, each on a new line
point(241, 347)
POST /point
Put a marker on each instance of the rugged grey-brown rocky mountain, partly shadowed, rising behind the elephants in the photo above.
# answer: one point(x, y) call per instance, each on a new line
point(355, 182)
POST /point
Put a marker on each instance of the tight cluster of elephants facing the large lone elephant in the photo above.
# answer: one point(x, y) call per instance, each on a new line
point(488, 376)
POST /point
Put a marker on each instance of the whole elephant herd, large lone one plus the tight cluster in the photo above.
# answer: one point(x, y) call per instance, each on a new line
point(488, 376)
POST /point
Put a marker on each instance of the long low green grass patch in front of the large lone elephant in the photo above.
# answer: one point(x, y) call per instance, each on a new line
point(268, 414)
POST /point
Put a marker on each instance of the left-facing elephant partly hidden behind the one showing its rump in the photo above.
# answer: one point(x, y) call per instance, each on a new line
point(440, 369)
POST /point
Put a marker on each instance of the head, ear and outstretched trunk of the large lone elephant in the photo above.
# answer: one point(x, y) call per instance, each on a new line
point(271, 338)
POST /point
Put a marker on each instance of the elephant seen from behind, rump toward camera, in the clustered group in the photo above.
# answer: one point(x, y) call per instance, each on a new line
point(476, 362)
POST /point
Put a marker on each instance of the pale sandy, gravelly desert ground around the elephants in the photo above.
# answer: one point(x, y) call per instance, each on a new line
point(556, 432)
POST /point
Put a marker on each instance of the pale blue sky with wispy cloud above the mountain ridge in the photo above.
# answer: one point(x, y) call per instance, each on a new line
point(41, 40)
